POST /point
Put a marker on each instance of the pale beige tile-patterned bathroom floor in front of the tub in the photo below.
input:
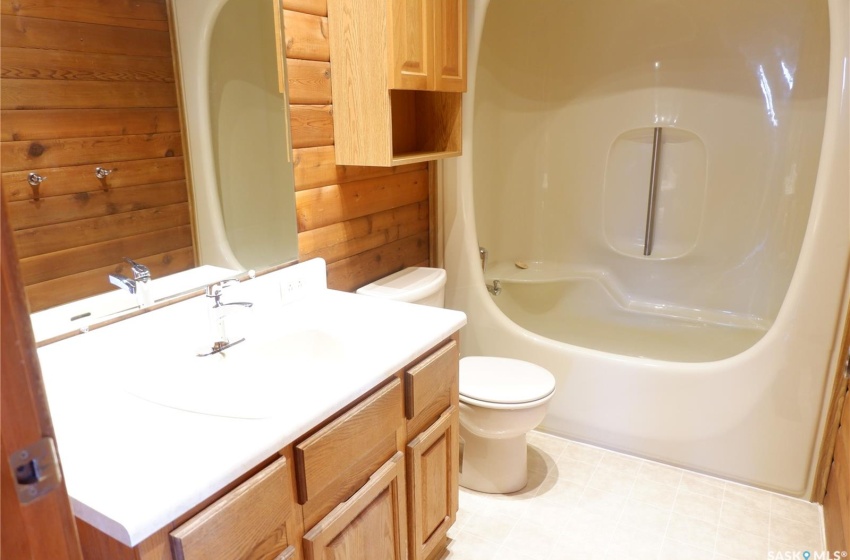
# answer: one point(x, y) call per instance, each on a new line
point(586, 503)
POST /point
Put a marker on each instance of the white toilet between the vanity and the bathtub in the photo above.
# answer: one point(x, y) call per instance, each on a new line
point(501, 399)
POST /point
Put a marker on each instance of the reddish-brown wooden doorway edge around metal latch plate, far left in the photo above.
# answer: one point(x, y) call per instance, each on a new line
point(45, 527)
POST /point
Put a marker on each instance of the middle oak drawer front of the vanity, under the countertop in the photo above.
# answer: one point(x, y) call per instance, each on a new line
point(339, 458)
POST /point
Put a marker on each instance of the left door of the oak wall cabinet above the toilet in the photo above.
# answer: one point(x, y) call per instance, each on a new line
point(410, 42)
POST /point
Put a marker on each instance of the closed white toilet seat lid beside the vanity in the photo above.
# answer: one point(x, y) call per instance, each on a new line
point(493, 382)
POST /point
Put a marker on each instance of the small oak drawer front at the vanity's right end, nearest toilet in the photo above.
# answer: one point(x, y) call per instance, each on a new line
point(428, 387)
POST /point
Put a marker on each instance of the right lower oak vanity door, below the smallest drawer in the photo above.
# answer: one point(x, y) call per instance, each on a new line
point(433, 484)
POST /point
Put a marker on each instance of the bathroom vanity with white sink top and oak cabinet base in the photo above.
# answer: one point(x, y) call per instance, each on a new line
point(346, 441)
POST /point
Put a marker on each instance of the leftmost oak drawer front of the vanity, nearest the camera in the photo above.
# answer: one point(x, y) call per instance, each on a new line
point(251, 522)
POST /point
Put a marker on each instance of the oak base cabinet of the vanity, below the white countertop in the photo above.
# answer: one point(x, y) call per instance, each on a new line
point(377, 480)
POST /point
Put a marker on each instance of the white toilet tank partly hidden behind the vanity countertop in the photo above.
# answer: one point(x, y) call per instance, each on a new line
point(418, 284)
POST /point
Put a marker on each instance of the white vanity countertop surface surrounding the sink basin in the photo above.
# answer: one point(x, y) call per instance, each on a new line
point(131, 466)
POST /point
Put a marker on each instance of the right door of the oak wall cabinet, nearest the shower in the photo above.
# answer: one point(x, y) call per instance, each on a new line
point(450, 45)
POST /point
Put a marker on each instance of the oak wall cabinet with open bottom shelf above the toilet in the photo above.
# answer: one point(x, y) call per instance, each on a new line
point(398, 68)
